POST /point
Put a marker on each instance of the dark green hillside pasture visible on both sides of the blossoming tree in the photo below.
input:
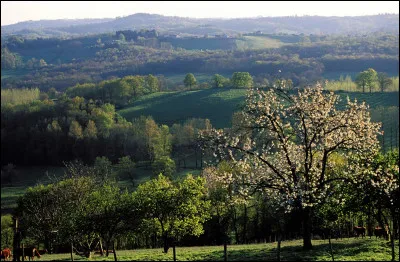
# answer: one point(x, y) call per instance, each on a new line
point(218, 105)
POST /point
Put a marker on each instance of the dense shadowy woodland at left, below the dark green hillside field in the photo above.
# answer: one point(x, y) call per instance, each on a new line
point(50, 132)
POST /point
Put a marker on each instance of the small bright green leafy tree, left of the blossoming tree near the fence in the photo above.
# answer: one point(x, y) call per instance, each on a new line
point(173, 209)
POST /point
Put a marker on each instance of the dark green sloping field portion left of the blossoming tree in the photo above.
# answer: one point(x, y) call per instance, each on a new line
point(176, 107)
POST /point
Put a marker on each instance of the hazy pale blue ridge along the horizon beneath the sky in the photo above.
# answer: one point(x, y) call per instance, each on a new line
point(177, 25)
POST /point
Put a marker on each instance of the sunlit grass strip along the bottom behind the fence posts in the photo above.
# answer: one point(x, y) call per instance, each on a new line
point(343, 250)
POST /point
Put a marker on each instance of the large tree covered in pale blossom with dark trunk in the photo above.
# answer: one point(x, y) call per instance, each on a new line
point(284, 144)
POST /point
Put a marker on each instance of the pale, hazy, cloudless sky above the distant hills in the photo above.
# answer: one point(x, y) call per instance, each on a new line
point(14, 12)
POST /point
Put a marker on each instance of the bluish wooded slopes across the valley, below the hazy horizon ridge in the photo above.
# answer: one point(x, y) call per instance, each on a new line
point(297, 61)
